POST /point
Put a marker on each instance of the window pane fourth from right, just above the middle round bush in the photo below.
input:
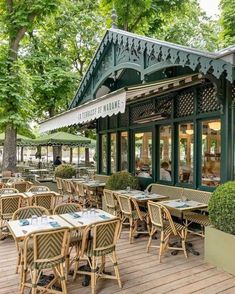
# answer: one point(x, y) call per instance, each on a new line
point(143, 154)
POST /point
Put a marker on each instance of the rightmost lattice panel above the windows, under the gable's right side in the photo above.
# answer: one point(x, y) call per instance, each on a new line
point(207, 100)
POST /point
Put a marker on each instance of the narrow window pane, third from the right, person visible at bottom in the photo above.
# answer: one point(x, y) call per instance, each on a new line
point(165, 153)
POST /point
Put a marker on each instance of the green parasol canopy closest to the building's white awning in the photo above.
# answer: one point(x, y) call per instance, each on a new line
point(61, 138)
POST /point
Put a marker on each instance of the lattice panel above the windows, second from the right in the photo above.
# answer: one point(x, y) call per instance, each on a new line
point(184, 104)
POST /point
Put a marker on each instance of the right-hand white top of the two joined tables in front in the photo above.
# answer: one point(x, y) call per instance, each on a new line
point(87, 217)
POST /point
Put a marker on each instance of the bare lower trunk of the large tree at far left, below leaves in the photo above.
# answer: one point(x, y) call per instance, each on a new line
point(9, 149)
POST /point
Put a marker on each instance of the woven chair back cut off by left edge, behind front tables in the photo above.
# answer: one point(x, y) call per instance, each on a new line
point(9, 204)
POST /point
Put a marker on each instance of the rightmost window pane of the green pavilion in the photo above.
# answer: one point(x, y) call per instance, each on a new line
point(211, 150)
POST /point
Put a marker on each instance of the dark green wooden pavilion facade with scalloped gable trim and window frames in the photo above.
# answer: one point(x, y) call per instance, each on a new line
point(125, 59)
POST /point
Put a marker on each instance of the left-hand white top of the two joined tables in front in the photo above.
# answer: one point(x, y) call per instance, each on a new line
point(19, 232)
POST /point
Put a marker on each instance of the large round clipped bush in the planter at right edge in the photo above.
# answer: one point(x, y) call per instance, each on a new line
point(222, 206)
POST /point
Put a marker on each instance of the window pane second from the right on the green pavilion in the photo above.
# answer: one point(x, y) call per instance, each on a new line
point(186, 153)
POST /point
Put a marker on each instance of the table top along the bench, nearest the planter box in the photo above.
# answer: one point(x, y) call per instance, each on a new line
point(181, 205)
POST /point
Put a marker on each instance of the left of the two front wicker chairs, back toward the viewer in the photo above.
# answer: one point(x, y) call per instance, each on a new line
point(44, 250)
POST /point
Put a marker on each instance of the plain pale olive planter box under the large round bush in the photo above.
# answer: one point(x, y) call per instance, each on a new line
point(220, 249)
